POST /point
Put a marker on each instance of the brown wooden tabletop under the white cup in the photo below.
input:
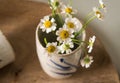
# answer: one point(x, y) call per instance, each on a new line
point(18, 21)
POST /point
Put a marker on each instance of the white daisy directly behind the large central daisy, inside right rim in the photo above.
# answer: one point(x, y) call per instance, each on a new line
point(73, 24)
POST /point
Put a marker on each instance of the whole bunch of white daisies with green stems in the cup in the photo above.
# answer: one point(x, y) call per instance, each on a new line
point(62, 30)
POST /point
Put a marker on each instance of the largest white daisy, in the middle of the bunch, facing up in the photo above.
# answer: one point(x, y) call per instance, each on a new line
point(64, 35)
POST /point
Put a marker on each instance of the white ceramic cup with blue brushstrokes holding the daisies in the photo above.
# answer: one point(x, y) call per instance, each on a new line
point(58, 65)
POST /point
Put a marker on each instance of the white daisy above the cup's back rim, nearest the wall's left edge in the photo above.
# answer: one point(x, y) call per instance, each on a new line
point(68, 10)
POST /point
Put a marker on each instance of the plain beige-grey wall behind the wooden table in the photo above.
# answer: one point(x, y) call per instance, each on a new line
point(108, 30)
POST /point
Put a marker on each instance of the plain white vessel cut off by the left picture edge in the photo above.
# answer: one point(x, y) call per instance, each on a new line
point(6, 52)
